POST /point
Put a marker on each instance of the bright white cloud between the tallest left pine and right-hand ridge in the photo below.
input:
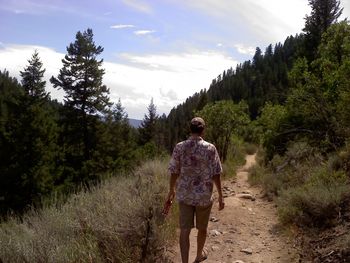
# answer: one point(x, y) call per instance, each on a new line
point(168, 78)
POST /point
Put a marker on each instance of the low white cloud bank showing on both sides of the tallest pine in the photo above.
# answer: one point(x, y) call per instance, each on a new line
point(169, 78)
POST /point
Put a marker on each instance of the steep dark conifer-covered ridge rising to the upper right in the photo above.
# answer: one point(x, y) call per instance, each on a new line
point(265, 78)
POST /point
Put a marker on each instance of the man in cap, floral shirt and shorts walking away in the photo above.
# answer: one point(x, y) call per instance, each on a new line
point(194, 167)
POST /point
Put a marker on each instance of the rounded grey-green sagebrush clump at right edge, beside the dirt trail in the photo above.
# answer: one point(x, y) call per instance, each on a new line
point(317, 202)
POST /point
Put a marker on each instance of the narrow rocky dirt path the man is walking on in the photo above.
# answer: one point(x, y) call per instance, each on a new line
point(246, 230)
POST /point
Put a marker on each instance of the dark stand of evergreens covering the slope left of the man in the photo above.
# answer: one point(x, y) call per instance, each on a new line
point(51, 149)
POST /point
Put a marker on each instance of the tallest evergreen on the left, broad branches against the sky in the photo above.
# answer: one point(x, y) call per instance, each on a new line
point(81, 79)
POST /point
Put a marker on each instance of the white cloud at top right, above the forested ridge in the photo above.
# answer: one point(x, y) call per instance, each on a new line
point(267, 20)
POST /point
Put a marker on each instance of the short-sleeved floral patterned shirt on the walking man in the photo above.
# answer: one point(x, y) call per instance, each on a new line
point(196, 162)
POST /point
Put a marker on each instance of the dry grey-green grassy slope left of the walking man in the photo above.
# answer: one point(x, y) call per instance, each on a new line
point(119, 221)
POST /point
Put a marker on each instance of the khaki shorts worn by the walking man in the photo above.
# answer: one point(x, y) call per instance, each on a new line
point(188, 212)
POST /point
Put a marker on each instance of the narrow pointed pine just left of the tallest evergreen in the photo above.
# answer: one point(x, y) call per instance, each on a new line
point(36, 135)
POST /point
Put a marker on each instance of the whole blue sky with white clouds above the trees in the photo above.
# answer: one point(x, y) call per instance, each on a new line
point(165, 50)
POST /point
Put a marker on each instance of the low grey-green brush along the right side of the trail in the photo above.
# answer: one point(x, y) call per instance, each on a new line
point(310, 189)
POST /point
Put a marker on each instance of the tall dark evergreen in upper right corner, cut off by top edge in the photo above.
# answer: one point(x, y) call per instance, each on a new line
point(324, 13)
